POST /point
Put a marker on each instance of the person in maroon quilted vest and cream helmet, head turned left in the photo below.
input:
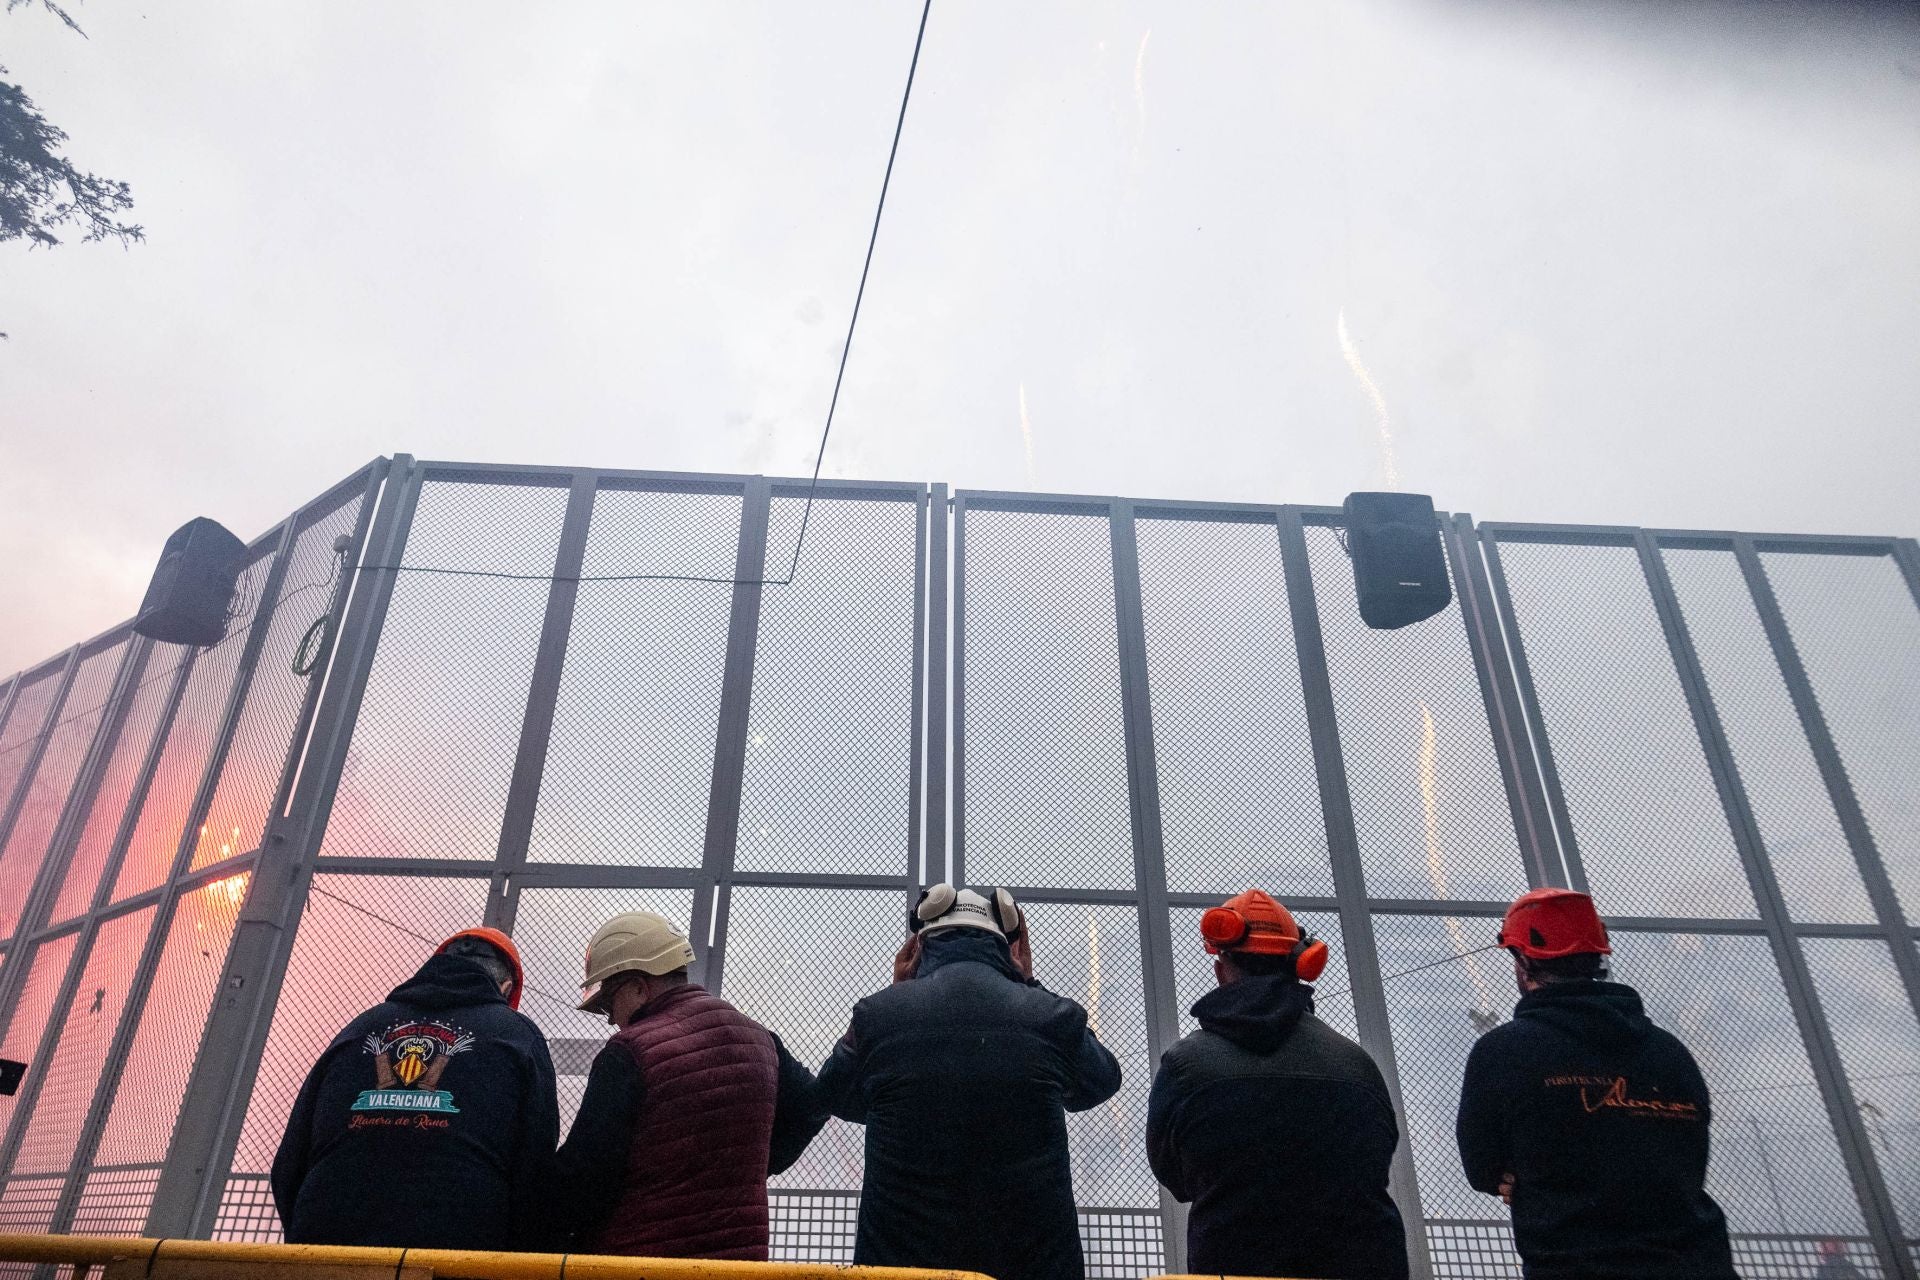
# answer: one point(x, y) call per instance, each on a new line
point(686, 1110)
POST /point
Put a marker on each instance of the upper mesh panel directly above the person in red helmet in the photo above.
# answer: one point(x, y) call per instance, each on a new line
point(1625, 744)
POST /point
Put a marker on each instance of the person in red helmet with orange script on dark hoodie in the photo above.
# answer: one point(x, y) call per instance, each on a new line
point(1591, 1122)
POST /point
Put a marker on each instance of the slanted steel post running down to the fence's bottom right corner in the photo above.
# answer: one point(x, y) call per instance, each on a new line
point(1836, 1093)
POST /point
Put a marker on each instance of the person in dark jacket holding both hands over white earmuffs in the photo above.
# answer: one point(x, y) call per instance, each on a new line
point(963, 1074)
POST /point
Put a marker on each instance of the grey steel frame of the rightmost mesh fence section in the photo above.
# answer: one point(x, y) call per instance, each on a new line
point(1777, 924)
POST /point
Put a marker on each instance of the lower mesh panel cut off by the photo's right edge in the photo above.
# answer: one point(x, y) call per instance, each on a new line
point(1879, 1043)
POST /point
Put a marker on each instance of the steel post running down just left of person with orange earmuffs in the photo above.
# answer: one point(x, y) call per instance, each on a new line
point(1149, 845)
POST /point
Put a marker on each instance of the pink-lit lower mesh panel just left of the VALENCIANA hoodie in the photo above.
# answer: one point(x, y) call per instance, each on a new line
point(360, 937)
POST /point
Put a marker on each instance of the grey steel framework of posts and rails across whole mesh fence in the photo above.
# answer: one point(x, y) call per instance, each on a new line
point(222, 1081)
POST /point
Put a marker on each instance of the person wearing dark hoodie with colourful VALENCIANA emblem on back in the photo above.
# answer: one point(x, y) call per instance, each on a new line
point(431, 1122)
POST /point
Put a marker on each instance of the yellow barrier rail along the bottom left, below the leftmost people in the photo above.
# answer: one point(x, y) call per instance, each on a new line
point(204, 1260)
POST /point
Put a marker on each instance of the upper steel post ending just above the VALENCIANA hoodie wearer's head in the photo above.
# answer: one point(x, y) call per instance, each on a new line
point(542, 696)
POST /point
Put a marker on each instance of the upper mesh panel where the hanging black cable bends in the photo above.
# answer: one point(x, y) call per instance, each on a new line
point(832, 715)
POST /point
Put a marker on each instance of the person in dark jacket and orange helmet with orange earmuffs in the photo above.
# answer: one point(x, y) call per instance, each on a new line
point(1270, 1122)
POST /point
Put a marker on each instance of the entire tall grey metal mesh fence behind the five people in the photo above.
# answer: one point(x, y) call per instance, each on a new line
point(439, 698)
